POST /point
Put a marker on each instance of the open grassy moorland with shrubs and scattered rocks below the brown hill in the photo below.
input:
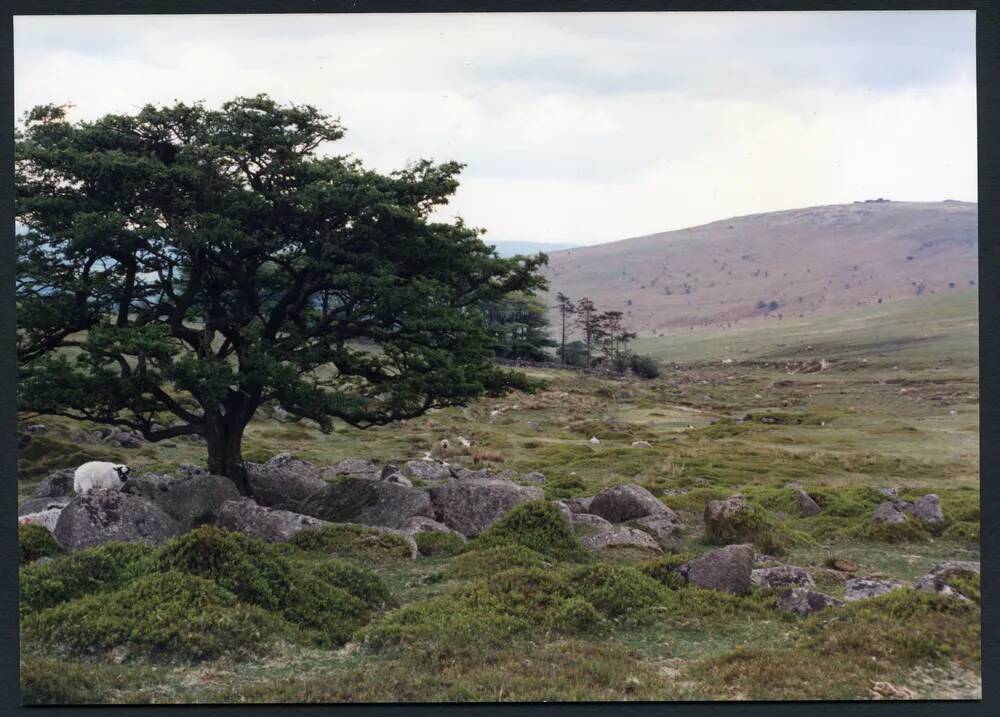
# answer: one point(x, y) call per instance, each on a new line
point(865, 411)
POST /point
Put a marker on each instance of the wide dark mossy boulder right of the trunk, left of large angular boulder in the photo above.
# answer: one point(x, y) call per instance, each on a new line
point(368, 502)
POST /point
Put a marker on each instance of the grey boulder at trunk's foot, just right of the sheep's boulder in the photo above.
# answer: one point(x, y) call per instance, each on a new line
point(191, 500)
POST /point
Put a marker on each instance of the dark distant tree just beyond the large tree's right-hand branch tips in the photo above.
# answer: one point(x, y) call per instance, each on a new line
point(519, 326)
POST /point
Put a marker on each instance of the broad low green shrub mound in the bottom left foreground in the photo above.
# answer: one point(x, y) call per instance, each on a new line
point(165, 616)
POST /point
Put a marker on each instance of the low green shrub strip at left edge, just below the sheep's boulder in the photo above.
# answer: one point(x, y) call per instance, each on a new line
point(98, 569)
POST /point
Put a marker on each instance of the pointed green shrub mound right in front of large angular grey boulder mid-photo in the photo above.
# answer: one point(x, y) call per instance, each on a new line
point(537, 525)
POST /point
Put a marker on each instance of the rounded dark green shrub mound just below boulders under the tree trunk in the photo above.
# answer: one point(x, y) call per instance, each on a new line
point(245, 566)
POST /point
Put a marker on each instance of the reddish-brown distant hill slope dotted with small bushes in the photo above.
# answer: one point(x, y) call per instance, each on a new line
point(815, 260)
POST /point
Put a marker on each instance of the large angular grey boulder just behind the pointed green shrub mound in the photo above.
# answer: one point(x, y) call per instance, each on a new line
point(470, 506)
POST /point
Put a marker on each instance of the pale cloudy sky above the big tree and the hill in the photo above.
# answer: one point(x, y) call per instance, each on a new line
point(578, 128)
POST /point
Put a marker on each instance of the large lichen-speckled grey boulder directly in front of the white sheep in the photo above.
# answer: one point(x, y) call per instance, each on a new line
point(102, 515)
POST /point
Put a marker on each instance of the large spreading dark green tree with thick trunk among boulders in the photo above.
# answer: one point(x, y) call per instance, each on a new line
point(182, 266)
